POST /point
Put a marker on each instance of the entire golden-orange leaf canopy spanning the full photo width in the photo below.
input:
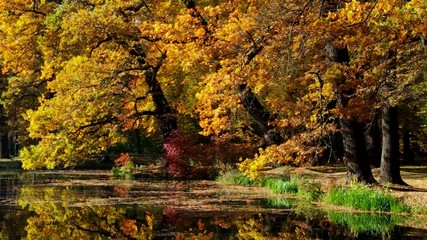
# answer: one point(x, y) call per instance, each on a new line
point(78, 60)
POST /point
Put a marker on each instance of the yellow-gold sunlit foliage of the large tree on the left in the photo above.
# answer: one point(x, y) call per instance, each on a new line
point(94, 88)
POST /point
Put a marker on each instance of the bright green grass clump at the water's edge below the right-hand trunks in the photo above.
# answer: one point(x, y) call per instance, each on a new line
point(364, 198)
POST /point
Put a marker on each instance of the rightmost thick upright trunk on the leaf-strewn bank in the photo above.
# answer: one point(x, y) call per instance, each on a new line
point(390, 167)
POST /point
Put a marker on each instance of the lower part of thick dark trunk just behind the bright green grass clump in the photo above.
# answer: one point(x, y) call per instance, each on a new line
point(355, 154)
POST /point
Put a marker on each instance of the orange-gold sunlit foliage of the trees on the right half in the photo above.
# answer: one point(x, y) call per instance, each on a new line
point(289, 81)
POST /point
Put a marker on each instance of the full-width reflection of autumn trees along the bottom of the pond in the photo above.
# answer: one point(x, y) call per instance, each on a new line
point(65, 213)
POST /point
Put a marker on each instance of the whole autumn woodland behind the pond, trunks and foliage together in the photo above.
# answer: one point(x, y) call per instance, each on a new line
point(271, 83)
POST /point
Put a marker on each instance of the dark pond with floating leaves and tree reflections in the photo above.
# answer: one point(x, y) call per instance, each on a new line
point(91, 205)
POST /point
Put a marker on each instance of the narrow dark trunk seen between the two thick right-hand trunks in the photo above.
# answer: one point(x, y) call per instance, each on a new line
point(373, 144)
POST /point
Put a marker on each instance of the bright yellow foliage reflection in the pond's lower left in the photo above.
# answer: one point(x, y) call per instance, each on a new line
point(54, 218)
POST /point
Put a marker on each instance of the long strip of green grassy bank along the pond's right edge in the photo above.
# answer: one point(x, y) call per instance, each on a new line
point(356, 197)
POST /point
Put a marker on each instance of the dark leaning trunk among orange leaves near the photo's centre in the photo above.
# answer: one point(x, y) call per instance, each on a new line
point(260, 115)
